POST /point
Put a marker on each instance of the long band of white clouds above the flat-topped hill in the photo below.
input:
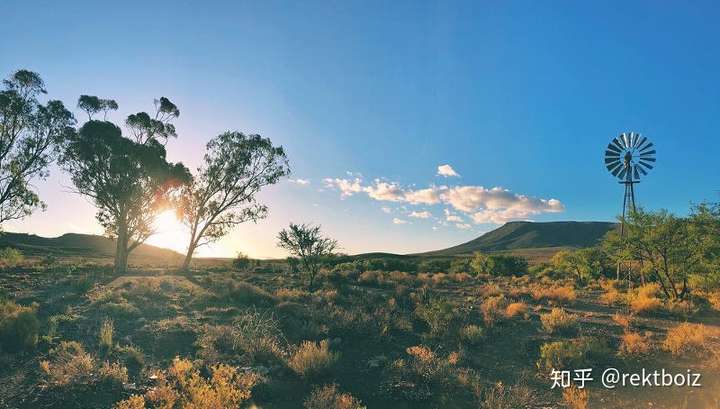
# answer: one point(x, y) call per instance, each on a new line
point(494, 205)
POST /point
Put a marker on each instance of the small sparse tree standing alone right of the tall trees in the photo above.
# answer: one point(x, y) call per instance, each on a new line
point(307, 243)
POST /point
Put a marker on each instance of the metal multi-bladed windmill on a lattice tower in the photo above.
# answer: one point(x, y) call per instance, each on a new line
point(629, 157)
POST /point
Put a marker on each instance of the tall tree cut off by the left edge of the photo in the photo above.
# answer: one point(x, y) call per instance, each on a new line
point(30, 132)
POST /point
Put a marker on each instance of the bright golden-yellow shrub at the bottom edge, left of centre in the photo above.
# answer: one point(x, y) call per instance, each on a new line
point(182, 386)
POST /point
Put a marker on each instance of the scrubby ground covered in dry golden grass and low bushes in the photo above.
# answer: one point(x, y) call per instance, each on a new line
point(389, 339)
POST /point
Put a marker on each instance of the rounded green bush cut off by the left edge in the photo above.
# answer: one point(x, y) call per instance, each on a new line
point(19, 327)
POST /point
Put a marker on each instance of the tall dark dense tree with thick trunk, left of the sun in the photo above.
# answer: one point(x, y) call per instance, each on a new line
point(129, 180)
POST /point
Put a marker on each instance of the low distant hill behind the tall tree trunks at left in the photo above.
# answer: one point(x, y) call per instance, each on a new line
point(73, 244)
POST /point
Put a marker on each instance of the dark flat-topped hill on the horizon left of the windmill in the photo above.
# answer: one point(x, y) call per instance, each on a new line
point(514, 236)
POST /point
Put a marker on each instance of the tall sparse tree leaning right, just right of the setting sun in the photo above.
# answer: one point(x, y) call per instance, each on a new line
point(222, 194)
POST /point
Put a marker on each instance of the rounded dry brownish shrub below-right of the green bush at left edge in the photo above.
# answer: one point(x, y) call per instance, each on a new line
point(69, 364)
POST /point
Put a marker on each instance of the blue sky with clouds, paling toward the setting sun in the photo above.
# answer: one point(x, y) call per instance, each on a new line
point(409, 125)
